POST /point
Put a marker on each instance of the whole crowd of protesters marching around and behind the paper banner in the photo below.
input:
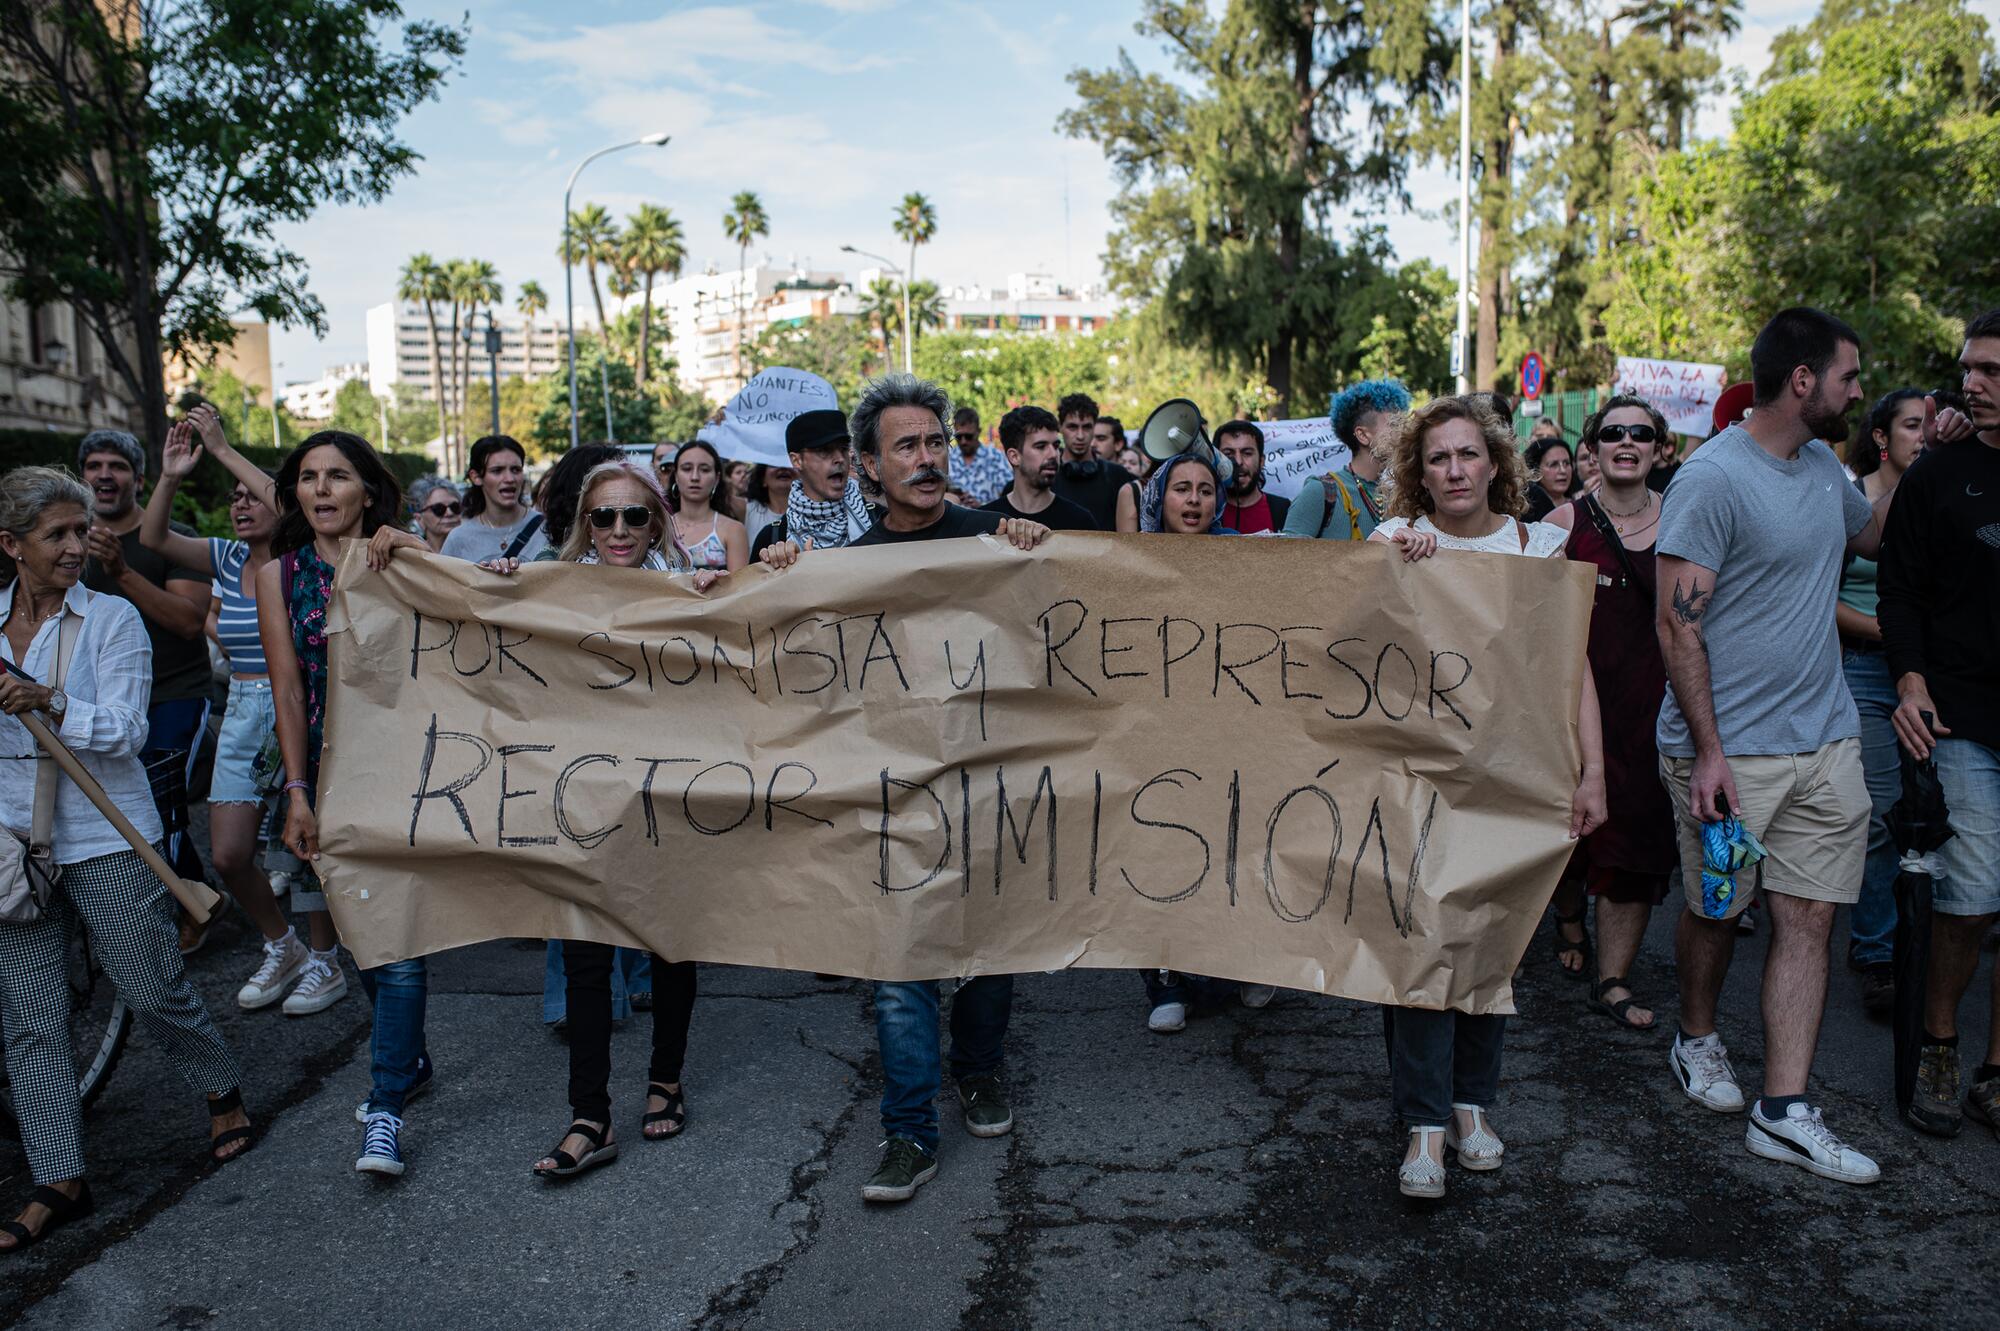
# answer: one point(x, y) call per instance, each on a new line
point(1789, 617)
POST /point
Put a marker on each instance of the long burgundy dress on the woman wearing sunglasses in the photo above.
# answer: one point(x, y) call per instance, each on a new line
point(1631, 676)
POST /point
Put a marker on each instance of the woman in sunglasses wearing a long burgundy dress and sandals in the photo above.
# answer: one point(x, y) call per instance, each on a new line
point(1625, 864)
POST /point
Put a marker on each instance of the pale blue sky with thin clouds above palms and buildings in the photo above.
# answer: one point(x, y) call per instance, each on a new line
point(829, 109)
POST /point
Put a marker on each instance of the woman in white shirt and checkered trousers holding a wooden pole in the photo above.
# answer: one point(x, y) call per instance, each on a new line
point(101, 712)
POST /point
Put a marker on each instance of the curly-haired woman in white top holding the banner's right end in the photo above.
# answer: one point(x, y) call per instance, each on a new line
point(1459, 485)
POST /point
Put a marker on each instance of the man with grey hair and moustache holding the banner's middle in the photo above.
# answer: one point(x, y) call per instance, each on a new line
point(901, 439)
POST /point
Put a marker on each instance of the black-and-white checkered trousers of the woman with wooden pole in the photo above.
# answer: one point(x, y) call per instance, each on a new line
point(133, 934)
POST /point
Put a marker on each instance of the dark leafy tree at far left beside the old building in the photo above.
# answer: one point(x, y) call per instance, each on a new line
point(155, 149)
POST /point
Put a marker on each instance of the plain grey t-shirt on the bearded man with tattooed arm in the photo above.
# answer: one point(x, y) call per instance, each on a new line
point(1775, 535)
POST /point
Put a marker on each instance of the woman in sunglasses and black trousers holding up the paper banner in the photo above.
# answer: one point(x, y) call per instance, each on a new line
point(621, 523)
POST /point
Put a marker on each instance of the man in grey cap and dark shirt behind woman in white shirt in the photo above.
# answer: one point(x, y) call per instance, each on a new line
point(173, 601)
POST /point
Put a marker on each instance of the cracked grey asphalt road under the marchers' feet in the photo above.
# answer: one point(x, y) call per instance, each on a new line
point(1235, 1176)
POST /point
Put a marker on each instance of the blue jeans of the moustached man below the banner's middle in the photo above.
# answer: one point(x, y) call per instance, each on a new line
point(907, 1032)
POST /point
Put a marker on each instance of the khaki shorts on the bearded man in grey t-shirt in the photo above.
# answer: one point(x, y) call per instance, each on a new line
point(1809, 810)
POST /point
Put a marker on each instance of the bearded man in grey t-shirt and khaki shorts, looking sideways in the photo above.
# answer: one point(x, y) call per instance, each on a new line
point(1761, 726)
